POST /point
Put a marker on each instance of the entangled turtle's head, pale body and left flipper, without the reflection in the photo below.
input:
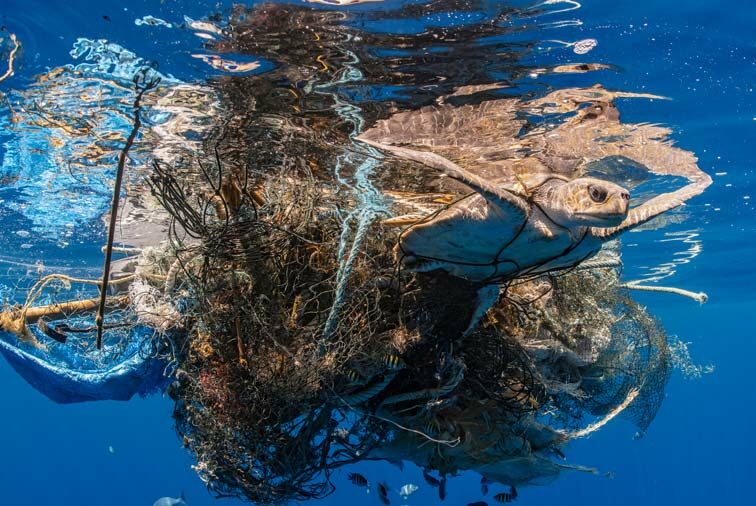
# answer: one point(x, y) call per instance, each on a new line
point(496, 234)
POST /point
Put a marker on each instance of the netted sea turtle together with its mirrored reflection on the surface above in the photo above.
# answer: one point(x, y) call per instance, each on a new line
point(532, 208)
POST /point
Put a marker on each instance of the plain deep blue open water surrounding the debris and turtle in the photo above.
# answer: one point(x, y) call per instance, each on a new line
point(699, 450)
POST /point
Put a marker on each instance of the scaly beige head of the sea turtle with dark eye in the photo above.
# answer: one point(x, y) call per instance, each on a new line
point(589, 202)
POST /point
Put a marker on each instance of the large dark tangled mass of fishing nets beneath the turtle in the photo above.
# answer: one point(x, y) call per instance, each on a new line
point(271, 395)
